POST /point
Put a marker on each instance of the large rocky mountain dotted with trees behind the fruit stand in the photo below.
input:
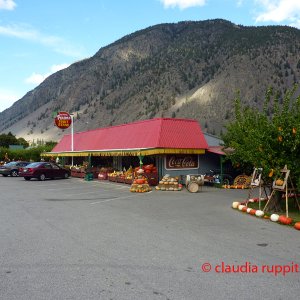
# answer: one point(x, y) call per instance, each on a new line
point(184, 70)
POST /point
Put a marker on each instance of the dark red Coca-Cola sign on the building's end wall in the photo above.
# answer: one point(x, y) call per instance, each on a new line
point(186, 161)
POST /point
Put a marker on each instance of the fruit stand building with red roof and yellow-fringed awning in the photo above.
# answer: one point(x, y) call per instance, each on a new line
point(174, 146)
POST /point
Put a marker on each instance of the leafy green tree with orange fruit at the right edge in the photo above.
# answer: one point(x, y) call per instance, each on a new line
point(267, 141)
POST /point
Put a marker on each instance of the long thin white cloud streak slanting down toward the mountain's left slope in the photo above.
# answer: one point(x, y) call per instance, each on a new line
point(25, 32)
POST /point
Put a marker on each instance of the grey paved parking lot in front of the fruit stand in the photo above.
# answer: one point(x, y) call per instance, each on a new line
point(71, 239)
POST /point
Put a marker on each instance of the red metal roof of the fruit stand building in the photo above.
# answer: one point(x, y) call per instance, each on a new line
point(154, 133)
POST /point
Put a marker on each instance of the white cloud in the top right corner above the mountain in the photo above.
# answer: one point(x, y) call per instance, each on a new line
point(279, 11)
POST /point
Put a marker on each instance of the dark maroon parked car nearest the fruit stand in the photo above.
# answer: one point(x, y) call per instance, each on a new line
point(43, 170)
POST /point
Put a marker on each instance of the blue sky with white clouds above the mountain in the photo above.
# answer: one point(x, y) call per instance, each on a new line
point(40, 37)
